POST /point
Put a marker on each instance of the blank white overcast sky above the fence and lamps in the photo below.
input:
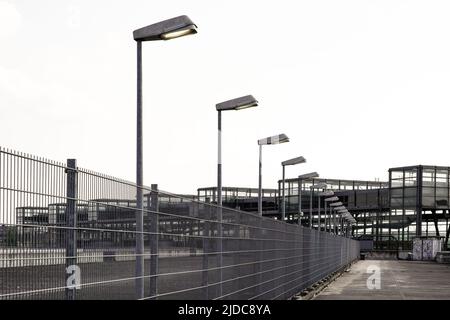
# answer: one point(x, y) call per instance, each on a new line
point(358, 86)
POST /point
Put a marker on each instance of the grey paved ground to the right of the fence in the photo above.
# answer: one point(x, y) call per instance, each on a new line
point(399, 280)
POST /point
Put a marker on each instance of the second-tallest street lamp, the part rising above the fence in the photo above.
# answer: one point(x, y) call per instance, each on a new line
point(234, 104)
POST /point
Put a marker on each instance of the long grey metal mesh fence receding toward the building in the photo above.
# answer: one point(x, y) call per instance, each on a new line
point(70, 233)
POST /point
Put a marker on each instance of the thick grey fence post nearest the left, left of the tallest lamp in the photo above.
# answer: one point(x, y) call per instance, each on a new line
point(71, 224)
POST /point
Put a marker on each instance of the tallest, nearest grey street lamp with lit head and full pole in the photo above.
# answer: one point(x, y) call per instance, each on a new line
point(164, 30)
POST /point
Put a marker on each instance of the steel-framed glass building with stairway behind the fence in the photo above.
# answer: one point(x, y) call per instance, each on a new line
point(415, 201)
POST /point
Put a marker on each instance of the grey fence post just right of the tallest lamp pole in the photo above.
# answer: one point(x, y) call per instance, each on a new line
point(154, 237)
